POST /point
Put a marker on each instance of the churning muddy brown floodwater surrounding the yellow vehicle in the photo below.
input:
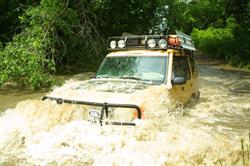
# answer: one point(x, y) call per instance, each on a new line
point(214, 131)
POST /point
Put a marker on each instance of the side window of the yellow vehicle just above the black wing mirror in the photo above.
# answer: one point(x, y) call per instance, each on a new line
point(180, 67)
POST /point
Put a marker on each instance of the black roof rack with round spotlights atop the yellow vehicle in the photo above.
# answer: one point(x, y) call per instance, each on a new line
point(151, 42)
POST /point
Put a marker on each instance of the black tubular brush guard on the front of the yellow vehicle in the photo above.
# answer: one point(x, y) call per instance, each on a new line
point(104, 109)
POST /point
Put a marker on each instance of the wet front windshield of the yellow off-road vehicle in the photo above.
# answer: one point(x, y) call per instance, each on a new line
point(143, 68)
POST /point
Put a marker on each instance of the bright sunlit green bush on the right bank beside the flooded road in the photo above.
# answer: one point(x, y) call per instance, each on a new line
point(229, 44)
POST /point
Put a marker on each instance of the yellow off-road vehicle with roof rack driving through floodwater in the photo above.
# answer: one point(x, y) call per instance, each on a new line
point(139, 72)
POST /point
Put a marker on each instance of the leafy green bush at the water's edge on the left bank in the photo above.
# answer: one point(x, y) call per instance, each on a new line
point(23, 60)
